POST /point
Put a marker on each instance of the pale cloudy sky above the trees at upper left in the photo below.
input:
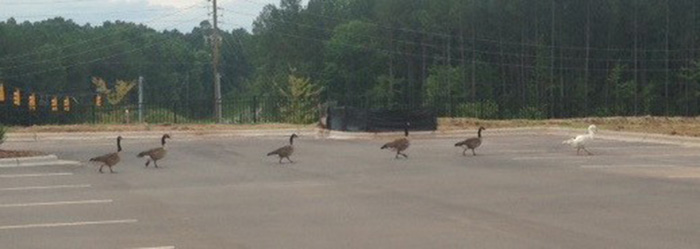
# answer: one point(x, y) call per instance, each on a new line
point(182, 15)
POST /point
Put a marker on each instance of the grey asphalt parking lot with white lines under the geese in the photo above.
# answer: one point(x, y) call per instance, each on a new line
point(520, 191)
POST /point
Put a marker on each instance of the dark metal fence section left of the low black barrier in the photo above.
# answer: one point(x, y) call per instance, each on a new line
point(247, 110)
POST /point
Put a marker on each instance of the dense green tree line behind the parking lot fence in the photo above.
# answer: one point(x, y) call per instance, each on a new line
point(486, 58)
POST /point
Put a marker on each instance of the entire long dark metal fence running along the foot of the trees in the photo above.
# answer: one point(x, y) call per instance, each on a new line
point(255, 109)
